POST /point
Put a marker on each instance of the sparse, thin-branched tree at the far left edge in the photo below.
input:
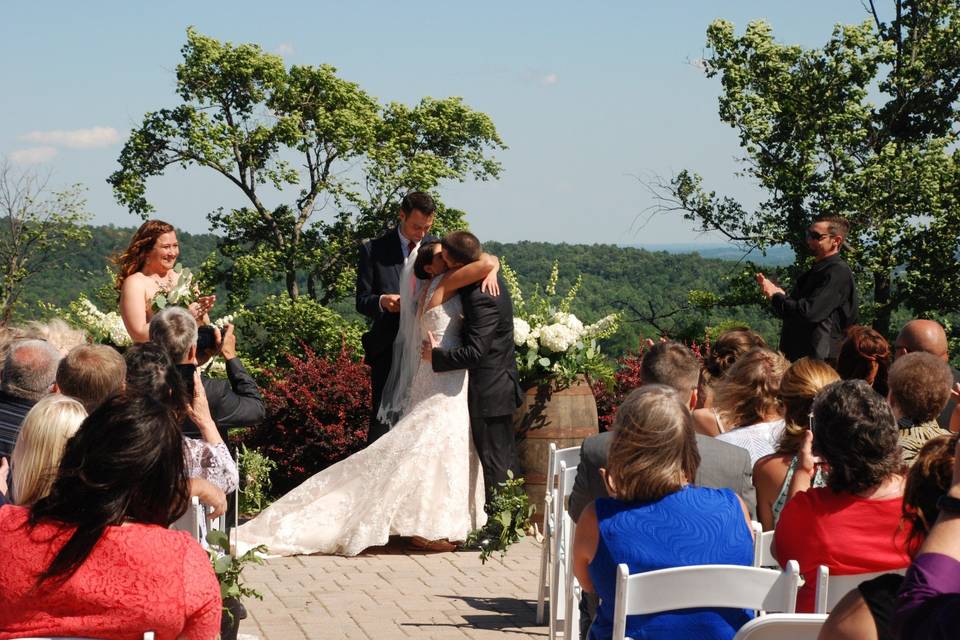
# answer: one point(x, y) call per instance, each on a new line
point(38, 226)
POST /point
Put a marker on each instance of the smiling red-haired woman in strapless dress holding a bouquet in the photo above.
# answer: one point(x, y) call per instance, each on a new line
point(145, 268)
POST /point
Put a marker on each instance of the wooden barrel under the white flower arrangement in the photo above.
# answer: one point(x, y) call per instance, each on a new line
point(564, 417)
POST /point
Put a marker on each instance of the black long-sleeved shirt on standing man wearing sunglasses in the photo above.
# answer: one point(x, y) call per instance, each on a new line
point(818, 311)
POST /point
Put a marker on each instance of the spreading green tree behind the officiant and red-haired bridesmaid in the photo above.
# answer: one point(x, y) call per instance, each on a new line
point(252, 120)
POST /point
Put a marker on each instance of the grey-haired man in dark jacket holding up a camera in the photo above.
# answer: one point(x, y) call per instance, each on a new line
point(234, 402)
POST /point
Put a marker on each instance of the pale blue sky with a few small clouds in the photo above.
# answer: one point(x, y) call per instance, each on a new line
point(590, 97)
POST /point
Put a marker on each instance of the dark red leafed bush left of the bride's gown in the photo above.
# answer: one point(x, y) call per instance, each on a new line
point(318, 410)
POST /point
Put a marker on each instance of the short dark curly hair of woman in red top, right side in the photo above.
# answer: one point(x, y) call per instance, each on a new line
point(854, 431)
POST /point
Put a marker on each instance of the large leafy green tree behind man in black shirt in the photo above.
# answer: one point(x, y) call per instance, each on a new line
point(816, 143)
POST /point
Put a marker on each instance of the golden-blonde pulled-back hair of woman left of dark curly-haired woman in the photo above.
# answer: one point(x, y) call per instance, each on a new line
point(799, 386)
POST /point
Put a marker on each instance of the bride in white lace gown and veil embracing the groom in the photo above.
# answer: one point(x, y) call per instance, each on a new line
point(423, 478)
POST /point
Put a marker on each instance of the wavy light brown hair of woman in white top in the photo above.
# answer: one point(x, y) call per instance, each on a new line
point(748, 393)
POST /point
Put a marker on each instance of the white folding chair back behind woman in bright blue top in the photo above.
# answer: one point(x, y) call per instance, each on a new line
point(714, 586)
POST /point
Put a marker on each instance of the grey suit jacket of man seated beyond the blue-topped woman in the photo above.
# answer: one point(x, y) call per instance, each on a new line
point(722, 465)
